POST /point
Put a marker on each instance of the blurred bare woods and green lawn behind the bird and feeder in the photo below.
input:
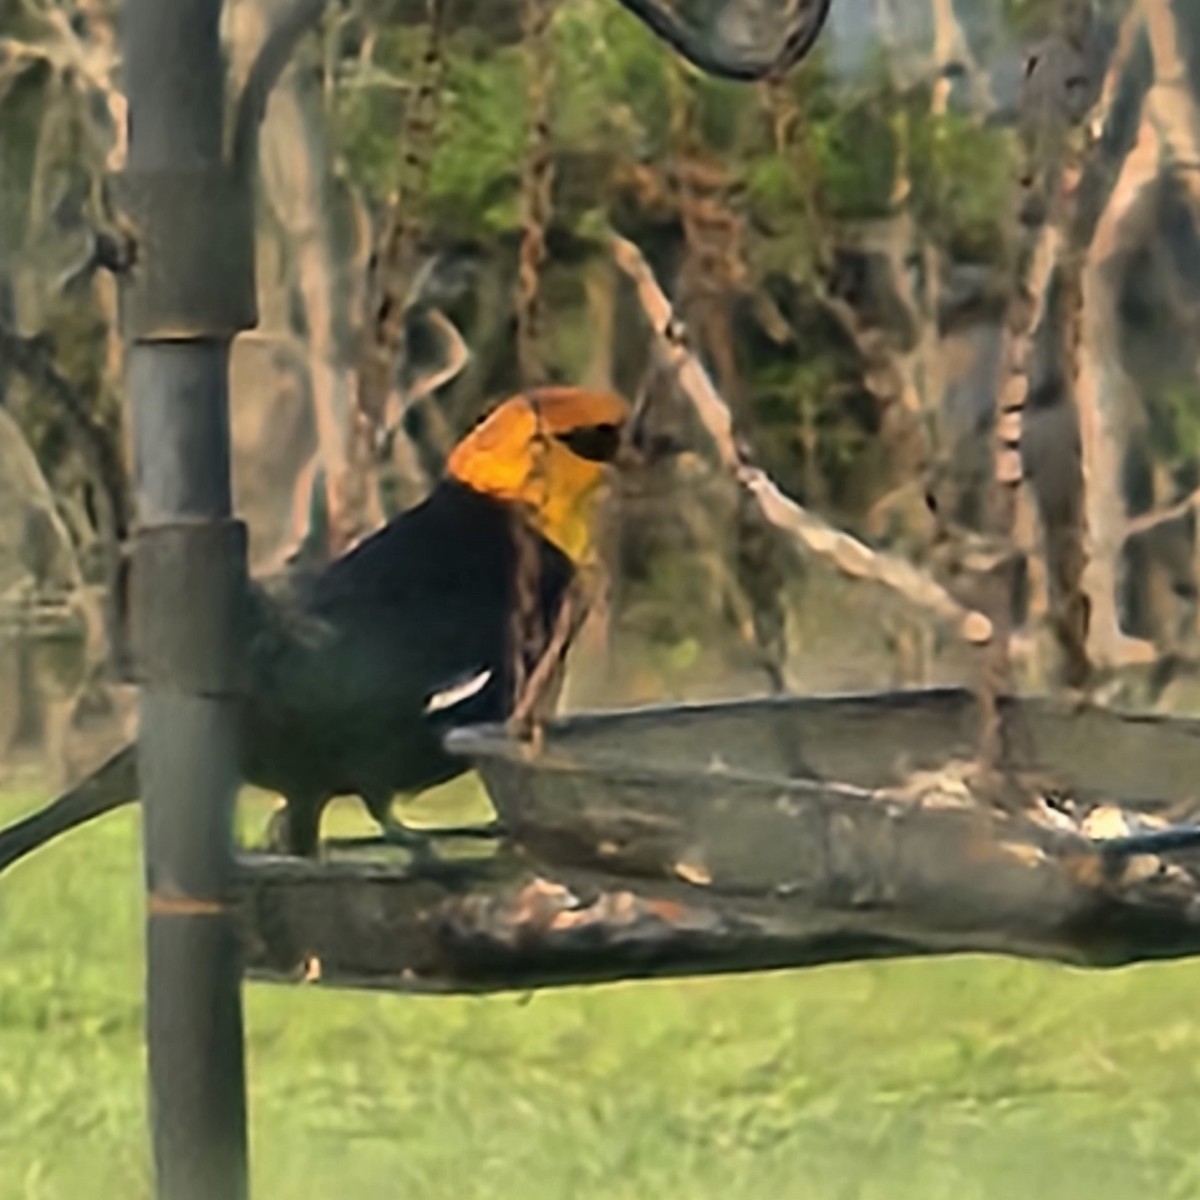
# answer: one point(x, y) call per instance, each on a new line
point(843, 248)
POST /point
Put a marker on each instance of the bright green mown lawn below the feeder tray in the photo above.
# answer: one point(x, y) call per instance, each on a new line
point(940, 1079)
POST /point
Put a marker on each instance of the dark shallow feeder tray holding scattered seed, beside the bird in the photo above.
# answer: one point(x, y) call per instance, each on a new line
point(752, 835)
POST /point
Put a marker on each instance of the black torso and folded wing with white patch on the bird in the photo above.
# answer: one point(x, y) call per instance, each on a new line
point(356, 681)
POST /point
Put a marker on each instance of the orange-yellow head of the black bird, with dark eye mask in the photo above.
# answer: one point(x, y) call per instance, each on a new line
point(548, 451)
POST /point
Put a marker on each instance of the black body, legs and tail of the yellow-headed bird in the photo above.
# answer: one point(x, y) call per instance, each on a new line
point(356, 671)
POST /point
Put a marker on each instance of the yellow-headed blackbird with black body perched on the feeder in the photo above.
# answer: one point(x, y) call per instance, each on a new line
point(358, 671)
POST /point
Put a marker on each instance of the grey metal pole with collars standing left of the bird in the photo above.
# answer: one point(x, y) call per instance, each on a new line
point(188, 295)
